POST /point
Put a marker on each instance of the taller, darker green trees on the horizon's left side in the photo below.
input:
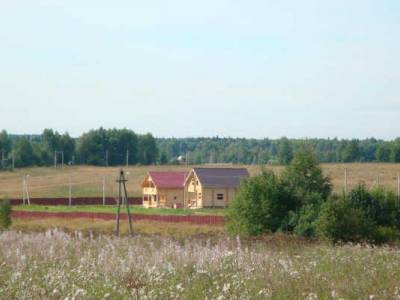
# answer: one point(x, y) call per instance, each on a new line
point(100, 147)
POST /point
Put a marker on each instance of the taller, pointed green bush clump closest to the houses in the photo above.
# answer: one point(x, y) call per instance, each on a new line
point(289, 203)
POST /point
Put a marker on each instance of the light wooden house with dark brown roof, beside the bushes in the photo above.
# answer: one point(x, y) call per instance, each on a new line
point(212, 187)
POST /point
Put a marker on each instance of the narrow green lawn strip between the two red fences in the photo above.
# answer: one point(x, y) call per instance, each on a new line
point(112, 209)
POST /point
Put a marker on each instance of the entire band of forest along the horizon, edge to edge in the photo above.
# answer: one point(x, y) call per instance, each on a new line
point(112, 147)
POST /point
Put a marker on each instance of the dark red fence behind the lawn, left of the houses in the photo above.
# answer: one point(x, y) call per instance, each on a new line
point(75, 201)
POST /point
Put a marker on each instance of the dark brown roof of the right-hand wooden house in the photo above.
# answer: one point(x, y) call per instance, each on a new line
point(221, 177)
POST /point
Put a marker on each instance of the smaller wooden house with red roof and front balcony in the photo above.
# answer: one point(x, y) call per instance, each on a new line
point(163, 189)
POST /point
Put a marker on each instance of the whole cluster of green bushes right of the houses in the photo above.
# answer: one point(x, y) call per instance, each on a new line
point(300, 201)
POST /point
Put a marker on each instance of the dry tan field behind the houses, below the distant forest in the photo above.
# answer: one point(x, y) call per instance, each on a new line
point(87, 181)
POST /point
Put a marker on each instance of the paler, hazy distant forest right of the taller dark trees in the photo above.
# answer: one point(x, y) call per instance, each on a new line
point(279, 151)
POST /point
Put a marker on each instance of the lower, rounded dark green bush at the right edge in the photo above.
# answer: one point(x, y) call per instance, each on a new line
point(362, 215)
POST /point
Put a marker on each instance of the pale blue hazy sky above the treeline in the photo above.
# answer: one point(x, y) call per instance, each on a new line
point(202, 68)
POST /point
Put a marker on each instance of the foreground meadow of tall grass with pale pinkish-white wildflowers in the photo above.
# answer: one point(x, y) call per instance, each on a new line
point(57, 265)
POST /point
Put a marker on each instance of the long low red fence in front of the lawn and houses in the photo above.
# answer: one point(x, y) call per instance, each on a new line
point(200, 220)
